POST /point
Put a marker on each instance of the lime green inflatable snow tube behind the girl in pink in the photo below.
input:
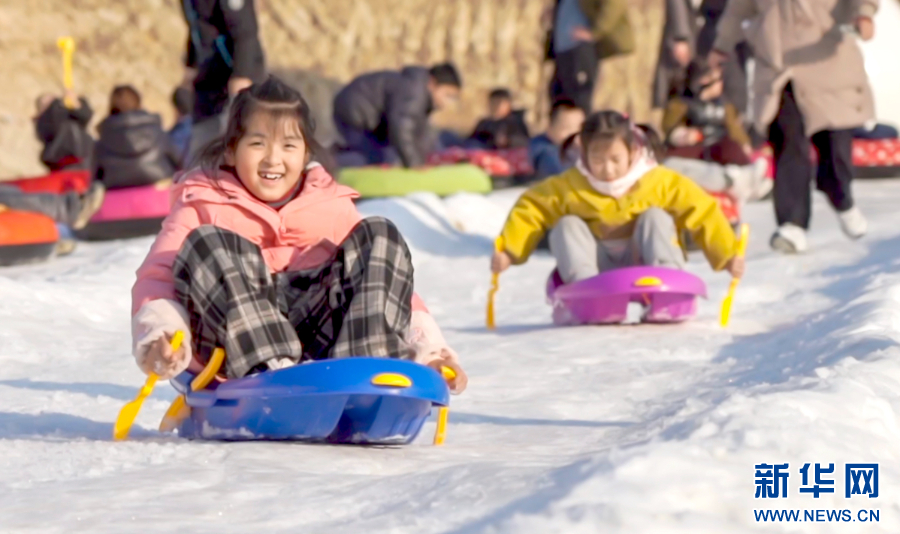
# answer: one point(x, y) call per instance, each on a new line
point(374, 182)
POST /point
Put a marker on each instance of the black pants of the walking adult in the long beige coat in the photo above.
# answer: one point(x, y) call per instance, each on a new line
point(794, 168)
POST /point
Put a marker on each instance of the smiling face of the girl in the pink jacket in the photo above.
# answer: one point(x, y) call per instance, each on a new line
point(270, 157)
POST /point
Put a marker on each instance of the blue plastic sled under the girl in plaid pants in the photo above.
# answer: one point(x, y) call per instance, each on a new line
point(333, 401)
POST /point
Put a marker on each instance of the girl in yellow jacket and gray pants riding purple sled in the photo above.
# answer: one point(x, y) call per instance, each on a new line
point(617, 208)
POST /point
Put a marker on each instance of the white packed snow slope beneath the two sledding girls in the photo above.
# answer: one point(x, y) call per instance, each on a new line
point(625, 429)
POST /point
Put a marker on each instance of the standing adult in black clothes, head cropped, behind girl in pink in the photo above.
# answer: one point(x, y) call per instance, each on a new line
point(224, 55)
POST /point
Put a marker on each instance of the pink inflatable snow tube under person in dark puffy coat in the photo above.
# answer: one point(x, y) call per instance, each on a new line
point(129, 212)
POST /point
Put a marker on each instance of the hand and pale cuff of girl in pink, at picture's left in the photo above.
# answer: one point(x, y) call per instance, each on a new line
point(156, 321)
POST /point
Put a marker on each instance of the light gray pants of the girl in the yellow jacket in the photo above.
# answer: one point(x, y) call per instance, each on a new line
point(580, 255)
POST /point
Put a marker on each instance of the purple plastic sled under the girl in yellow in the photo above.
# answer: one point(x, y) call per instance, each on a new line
point(670, 296)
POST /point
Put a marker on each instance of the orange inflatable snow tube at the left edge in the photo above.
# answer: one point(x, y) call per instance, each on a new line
point(26, 237)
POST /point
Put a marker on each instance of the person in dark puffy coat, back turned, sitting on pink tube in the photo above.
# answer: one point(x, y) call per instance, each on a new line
point(133, 149)
